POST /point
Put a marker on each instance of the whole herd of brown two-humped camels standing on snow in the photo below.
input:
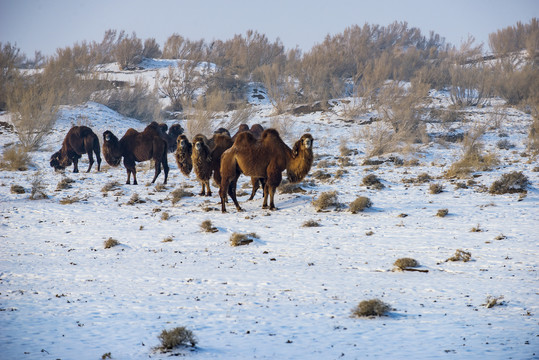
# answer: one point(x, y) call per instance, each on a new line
point(255, 152)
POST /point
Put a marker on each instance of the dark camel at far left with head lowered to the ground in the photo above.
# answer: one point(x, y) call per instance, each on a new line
point(79, 140)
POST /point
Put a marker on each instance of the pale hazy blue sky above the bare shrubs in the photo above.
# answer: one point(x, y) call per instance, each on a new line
point(46, 25)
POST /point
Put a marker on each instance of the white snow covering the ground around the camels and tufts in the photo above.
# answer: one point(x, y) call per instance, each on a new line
point(289, 294)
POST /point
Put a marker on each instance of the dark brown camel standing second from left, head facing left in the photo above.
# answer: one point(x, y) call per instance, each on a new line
point(136, 147)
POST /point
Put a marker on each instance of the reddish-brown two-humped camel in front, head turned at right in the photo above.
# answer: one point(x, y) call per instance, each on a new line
point(265, 158)
